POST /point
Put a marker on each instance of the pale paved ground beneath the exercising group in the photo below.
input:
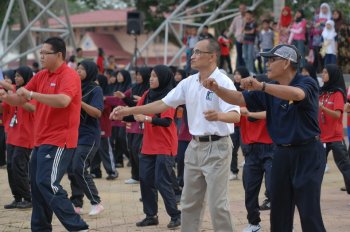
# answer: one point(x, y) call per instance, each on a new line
point(123, 209)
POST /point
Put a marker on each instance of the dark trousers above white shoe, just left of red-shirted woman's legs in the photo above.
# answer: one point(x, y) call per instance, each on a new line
point(134, 146)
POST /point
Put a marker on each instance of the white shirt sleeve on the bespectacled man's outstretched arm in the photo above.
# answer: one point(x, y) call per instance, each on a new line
point(176, 96)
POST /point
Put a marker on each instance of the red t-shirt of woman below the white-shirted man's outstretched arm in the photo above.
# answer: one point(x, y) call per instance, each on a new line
point(158, 139)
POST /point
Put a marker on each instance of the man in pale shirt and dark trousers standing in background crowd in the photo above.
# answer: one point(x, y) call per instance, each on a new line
point(236, 28)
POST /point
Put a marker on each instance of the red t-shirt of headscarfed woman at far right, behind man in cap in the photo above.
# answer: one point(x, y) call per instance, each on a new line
point(331, 128)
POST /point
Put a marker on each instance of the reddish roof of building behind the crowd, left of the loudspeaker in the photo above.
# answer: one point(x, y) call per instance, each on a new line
point(110, 45)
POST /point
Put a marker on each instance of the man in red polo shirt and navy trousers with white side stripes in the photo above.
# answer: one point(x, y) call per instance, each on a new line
point(57, 91)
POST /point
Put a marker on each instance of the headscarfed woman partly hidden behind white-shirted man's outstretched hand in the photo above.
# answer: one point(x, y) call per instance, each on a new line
point(118, 139)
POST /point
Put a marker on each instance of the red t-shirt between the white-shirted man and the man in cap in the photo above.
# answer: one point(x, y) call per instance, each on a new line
point(254, 132)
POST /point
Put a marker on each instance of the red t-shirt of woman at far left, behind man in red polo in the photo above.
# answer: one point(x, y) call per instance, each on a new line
point(21, 134)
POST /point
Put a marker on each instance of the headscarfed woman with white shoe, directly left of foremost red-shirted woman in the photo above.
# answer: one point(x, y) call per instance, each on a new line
point(134, 130)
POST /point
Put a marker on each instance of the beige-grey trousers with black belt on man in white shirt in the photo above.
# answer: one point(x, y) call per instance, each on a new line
point(207, 168)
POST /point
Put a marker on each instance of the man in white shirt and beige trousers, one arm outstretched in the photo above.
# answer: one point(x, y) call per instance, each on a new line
point(208, 156)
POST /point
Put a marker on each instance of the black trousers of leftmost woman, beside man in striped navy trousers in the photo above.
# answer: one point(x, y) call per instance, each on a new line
point(17, 170)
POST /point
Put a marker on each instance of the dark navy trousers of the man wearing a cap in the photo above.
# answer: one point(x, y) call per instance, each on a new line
point(296, 178)
